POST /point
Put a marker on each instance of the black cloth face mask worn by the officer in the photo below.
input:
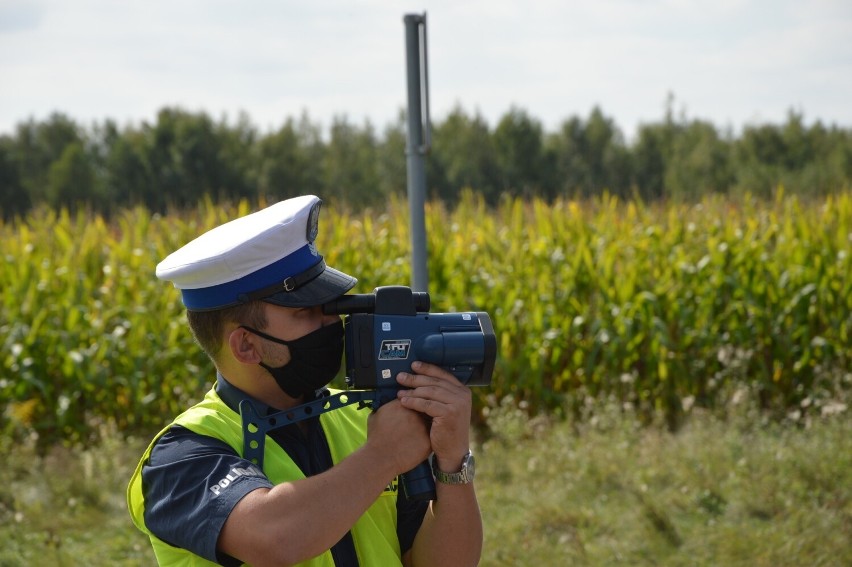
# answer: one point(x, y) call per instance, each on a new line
point(314, 359)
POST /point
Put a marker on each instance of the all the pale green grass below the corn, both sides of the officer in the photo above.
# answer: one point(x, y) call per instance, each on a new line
point(738, 491)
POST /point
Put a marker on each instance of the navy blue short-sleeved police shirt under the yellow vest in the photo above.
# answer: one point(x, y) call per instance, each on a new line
point(192, 482)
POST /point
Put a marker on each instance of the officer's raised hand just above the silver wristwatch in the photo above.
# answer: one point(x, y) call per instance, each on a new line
point(438, 394)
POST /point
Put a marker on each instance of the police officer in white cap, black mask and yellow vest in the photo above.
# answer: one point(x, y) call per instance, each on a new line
point(326, 491)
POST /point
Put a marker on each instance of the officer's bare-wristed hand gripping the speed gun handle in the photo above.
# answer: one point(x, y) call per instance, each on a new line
point(400, 435)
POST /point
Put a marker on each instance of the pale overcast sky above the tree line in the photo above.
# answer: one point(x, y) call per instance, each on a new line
point(732, 62)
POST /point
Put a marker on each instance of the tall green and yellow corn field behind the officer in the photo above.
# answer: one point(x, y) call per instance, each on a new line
point(660, 308)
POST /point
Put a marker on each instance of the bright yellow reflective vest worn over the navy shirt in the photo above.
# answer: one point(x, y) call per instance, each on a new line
point(345, 429)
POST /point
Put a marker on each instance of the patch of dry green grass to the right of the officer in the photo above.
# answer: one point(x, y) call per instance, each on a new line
point(716, 492)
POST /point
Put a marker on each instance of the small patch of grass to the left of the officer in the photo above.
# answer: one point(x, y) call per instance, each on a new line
point(66, 508)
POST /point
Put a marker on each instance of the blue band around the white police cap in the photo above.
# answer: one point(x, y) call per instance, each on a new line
point(228, 294)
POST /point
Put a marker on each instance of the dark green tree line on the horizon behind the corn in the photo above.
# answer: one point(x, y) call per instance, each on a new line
point(183, 156)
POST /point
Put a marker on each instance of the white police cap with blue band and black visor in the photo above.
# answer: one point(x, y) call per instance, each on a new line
point(268, 255)
